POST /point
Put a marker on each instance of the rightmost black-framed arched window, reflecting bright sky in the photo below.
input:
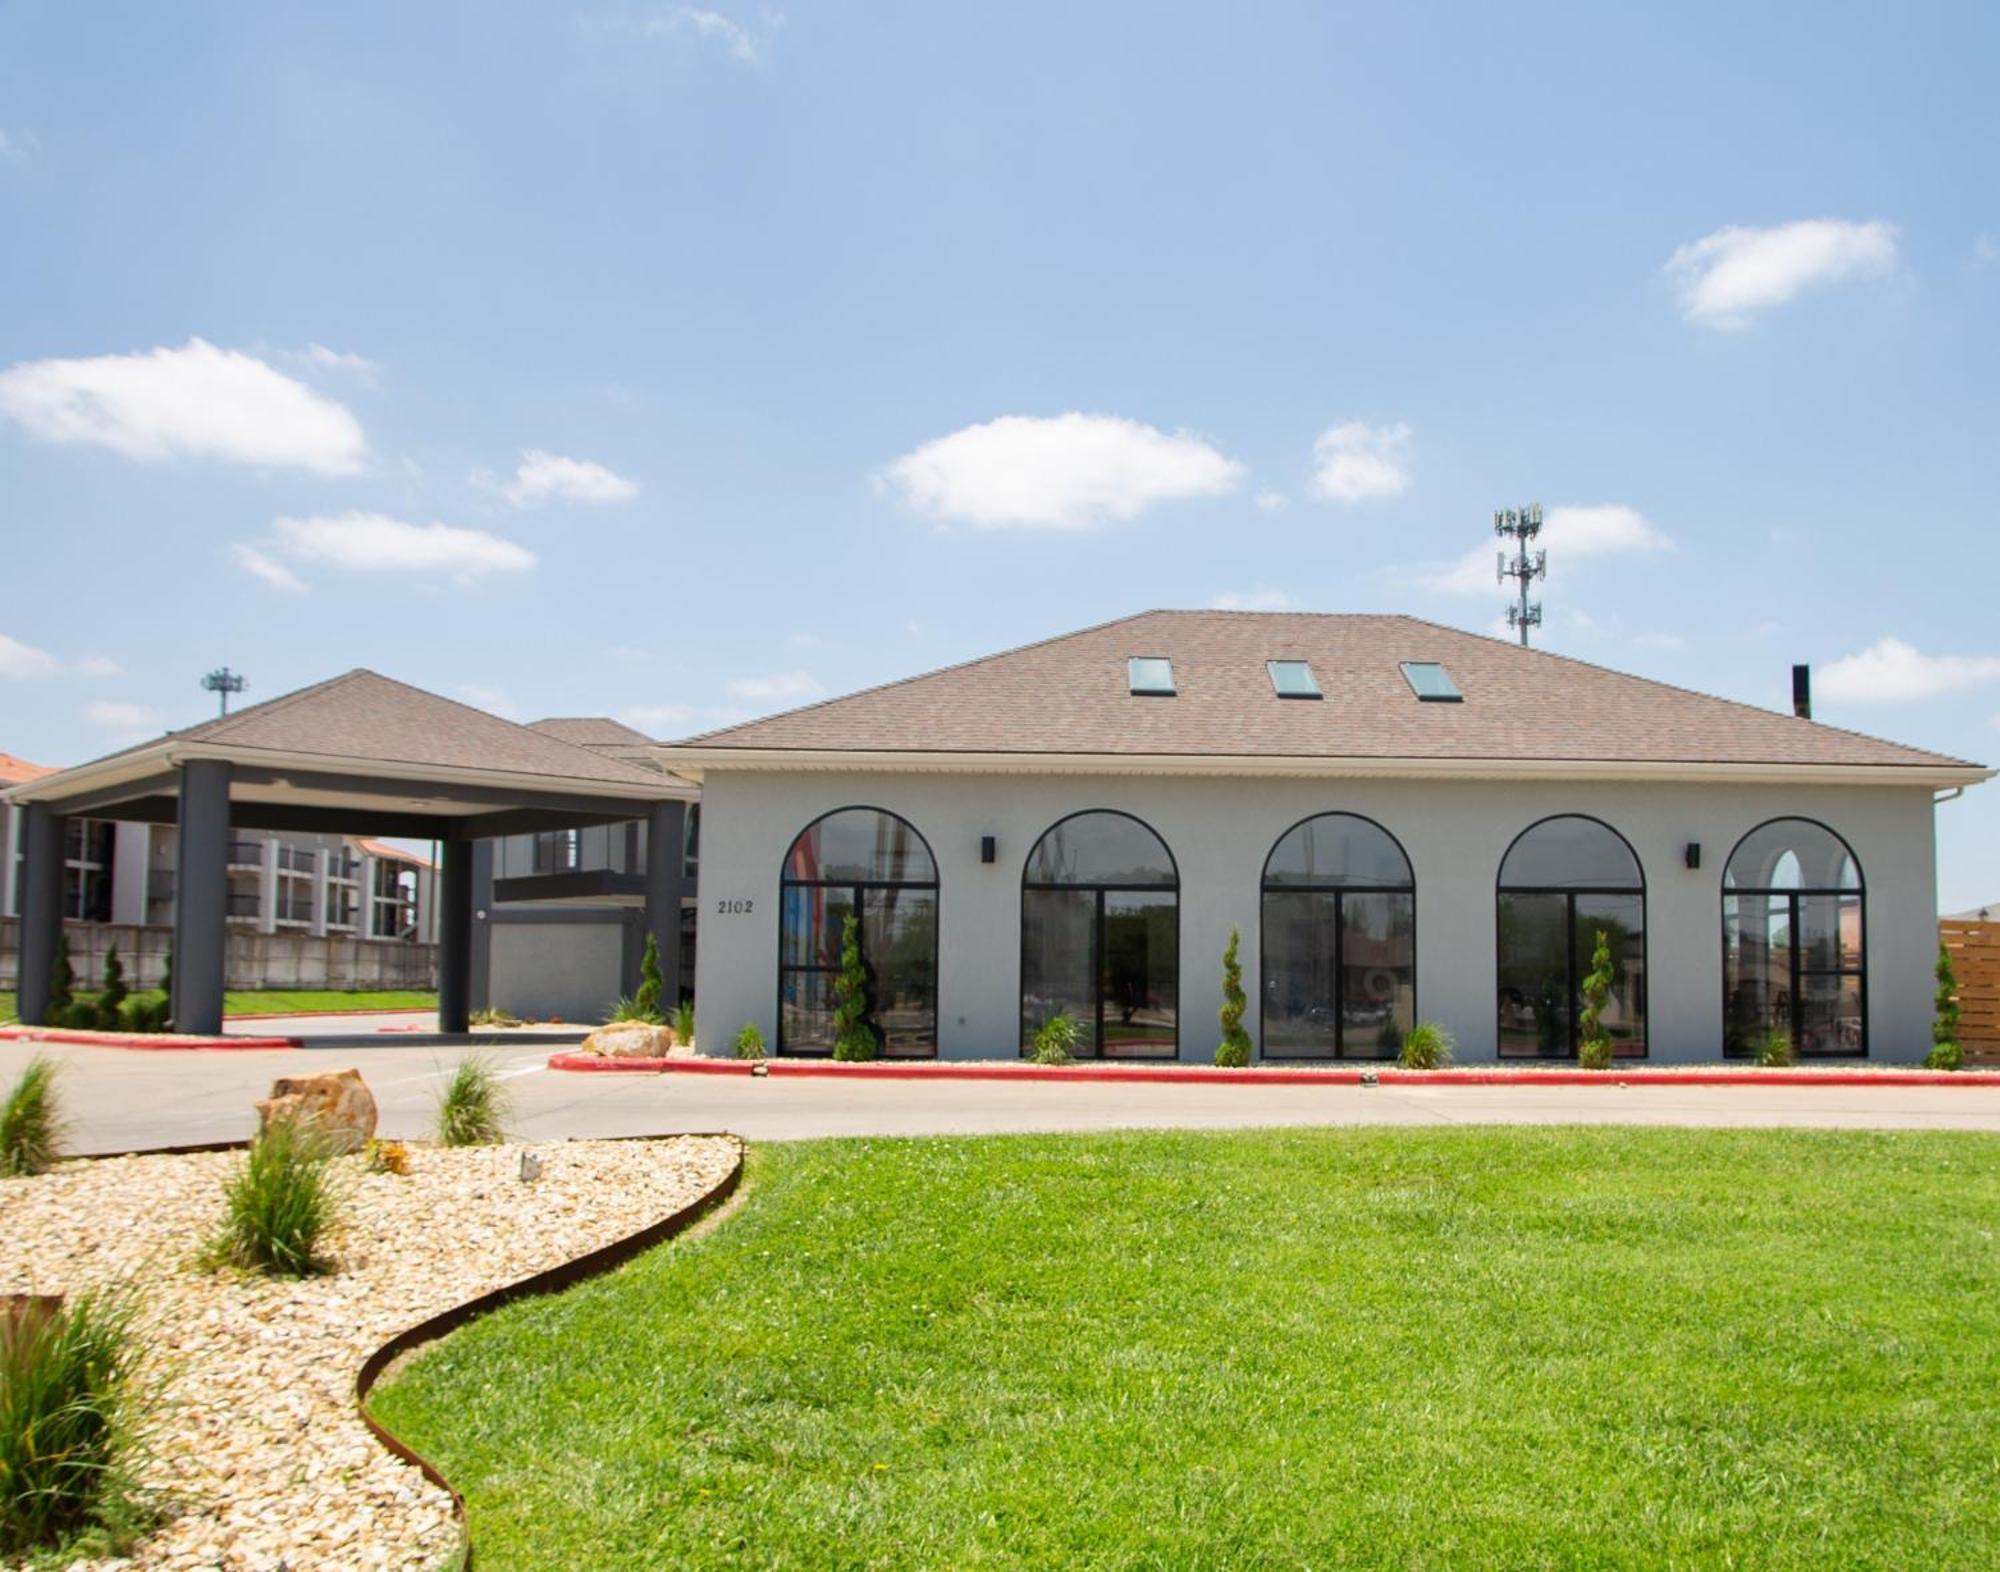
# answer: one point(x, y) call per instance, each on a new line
point(1793, 943)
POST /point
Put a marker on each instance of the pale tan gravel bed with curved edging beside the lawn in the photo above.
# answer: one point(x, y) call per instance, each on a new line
point(259, 1447)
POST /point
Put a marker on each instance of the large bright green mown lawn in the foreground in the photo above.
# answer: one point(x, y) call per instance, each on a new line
point(1431, 1349)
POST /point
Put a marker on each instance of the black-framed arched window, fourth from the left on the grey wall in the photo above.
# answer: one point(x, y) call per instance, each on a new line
point(1563, 883)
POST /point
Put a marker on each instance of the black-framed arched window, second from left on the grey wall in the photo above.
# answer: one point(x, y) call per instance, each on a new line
point(1101, 937)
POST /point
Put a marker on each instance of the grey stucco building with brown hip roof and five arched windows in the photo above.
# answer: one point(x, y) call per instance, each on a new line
point(1401, 821)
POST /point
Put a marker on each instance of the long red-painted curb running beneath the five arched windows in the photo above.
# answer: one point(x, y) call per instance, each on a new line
point(1205, 1075)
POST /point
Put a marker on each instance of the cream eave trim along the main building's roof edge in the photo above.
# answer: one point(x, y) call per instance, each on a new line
point(697, 763)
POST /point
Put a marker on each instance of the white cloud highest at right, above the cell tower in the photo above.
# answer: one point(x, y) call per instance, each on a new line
point(1735, 273)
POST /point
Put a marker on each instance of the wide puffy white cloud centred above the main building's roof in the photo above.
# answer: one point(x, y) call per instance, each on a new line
point(1059, 473)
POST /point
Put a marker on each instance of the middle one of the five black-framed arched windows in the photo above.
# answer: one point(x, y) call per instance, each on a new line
point(1339, 955)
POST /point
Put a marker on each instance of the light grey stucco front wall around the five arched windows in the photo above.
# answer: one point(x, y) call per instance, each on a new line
point(1221, 833)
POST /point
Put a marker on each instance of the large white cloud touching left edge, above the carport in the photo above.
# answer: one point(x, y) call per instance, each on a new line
point(195, 401)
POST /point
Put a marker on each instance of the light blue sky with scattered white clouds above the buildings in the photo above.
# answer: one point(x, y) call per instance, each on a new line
point(683, 363)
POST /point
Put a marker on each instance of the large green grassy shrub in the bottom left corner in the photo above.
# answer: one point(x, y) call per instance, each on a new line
point(69, 1415)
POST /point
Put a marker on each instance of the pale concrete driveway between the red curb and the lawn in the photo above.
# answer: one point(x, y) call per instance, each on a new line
point(121, 1101)
